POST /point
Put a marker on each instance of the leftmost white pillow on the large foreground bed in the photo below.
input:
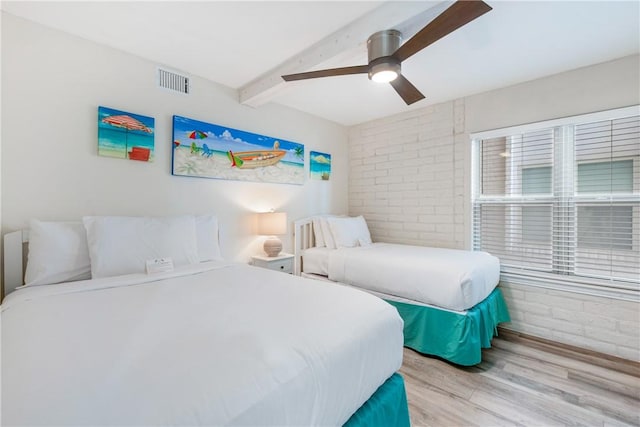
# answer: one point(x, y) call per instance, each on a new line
point(57, 253)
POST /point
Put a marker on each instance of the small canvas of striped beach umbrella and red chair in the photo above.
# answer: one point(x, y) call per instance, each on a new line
point(125, 135)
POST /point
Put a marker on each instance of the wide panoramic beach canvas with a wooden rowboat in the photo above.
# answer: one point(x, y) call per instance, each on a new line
point(207, 150)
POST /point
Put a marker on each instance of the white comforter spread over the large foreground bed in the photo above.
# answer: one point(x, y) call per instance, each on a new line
point(220, 345)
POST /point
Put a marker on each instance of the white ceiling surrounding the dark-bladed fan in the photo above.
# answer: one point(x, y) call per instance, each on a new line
point(236, 43)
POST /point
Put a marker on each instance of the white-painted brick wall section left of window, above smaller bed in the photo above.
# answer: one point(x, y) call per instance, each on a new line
point(407, 176)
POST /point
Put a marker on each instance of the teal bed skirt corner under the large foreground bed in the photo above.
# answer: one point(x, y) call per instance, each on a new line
point(387, 407)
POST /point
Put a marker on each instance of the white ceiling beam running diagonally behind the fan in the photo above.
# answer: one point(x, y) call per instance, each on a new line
point(407, 17)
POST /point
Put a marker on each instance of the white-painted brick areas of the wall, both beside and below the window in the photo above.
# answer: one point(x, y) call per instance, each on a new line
point(410, 177)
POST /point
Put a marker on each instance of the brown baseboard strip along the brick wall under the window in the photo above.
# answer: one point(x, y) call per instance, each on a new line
point(590, 356)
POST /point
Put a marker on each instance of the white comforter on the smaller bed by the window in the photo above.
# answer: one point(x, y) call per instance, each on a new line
point(447, 278)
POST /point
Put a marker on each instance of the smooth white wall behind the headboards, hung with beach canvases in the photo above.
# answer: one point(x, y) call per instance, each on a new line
point(52, 85)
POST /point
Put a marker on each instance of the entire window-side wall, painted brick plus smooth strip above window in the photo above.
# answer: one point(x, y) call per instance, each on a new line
point(410, 177)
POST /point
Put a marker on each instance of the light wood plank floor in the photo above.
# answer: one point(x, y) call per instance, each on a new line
point(517, 384)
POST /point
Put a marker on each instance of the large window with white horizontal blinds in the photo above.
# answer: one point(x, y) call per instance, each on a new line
point(559, 201)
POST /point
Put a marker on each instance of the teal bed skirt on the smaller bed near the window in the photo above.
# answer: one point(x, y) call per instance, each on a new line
point(457, 337)
